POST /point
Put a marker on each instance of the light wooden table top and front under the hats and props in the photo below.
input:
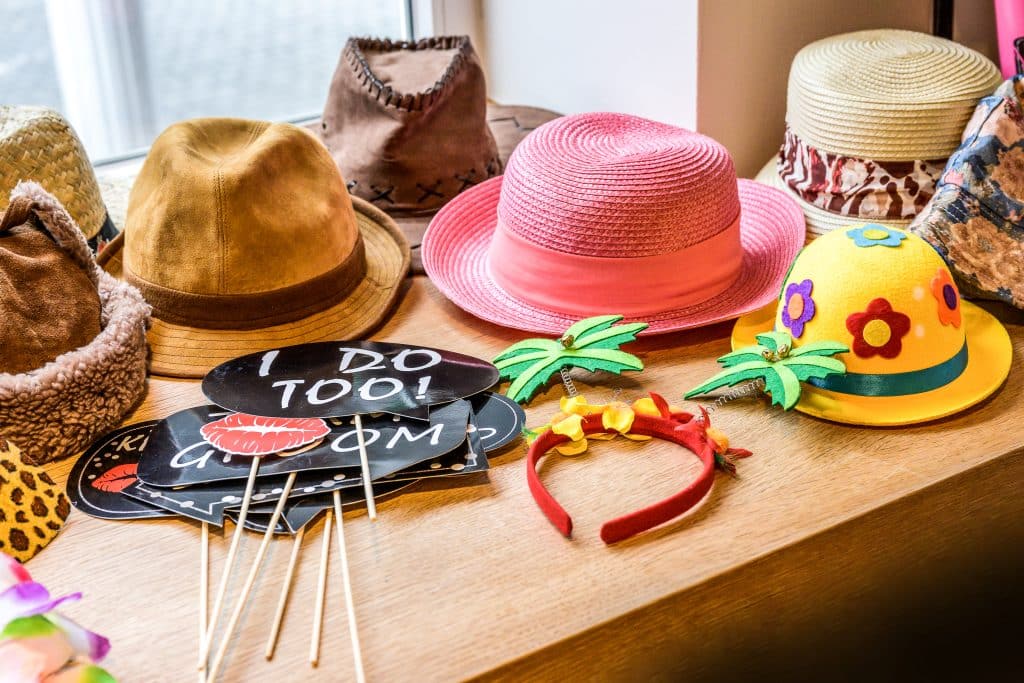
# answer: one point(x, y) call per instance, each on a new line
point(824, 527)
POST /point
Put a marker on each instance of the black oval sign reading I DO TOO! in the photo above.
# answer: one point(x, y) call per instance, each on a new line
point(333, 379)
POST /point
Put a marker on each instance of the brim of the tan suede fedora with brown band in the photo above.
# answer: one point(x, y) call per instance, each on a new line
point(187, 352)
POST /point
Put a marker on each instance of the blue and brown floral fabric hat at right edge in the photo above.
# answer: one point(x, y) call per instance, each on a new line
point(976, 220)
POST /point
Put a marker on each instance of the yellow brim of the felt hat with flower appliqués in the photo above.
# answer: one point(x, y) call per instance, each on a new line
point(990, 357)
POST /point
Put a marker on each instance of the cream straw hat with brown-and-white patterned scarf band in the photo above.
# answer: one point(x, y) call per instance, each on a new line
point(872, 117)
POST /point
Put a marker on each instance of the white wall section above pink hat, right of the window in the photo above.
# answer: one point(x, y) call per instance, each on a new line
point(571, 56)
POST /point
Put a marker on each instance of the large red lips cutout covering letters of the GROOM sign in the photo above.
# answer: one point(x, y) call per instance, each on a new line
point(244, 435)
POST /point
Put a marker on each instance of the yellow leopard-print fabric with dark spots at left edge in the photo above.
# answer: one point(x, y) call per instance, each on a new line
point(33, 508)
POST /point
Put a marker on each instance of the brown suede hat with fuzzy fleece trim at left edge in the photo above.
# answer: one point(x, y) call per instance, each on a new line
point(73, 359)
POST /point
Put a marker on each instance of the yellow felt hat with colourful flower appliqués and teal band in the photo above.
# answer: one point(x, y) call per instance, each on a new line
point(918, 353)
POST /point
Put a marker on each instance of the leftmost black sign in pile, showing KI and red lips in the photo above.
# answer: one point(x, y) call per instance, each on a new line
point(100, 477)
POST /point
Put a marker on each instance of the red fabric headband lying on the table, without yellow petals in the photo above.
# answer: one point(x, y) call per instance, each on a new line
point(679, 429)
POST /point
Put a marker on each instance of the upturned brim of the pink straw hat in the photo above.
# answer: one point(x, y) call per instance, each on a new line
point(455, 257)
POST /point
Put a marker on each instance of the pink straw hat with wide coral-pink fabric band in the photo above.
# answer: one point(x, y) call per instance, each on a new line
point(609, 214)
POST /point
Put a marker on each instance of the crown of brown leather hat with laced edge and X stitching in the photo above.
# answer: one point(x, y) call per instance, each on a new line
point(407, 123)
